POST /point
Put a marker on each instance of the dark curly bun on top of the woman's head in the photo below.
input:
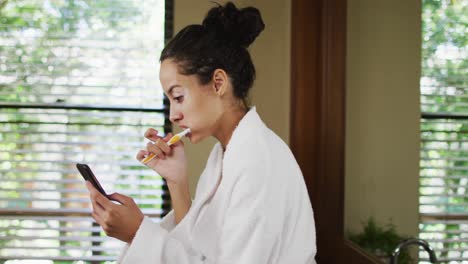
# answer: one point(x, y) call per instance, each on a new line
point(239, 26)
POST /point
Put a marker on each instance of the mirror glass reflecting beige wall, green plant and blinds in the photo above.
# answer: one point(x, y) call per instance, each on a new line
point(406, 123)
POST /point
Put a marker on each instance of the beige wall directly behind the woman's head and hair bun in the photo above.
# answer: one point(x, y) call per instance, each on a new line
point(270, 53)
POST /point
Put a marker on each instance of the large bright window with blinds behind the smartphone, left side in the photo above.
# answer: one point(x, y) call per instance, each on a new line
point(78, 83)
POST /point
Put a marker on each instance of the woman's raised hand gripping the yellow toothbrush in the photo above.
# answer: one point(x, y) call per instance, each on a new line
point(170, 161)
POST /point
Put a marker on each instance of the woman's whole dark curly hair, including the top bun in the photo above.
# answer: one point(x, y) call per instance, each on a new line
point(220, 42)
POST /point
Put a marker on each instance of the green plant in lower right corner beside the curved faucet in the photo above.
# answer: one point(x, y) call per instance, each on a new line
point(380, 240)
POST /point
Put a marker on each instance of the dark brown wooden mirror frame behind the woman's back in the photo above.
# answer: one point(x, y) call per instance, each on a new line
point(317, 128)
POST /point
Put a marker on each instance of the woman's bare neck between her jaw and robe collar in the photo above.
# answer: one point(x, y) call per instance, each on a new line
point(230, 121)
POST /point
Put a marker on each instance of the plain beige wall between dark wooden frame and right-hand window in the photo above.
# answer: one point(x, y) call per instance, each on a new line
point(382, 149)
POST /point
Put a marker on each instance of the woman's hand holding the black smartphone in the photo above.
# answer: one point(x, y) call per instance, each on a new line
point(118, 220)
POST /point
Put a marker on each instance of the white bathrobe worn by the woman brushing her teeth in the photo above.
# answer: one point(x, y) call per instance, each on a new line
point(251, 207)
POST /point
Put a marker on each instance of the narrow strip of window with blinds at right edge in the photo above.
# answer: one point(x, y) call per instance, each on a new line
point(444, 130)
